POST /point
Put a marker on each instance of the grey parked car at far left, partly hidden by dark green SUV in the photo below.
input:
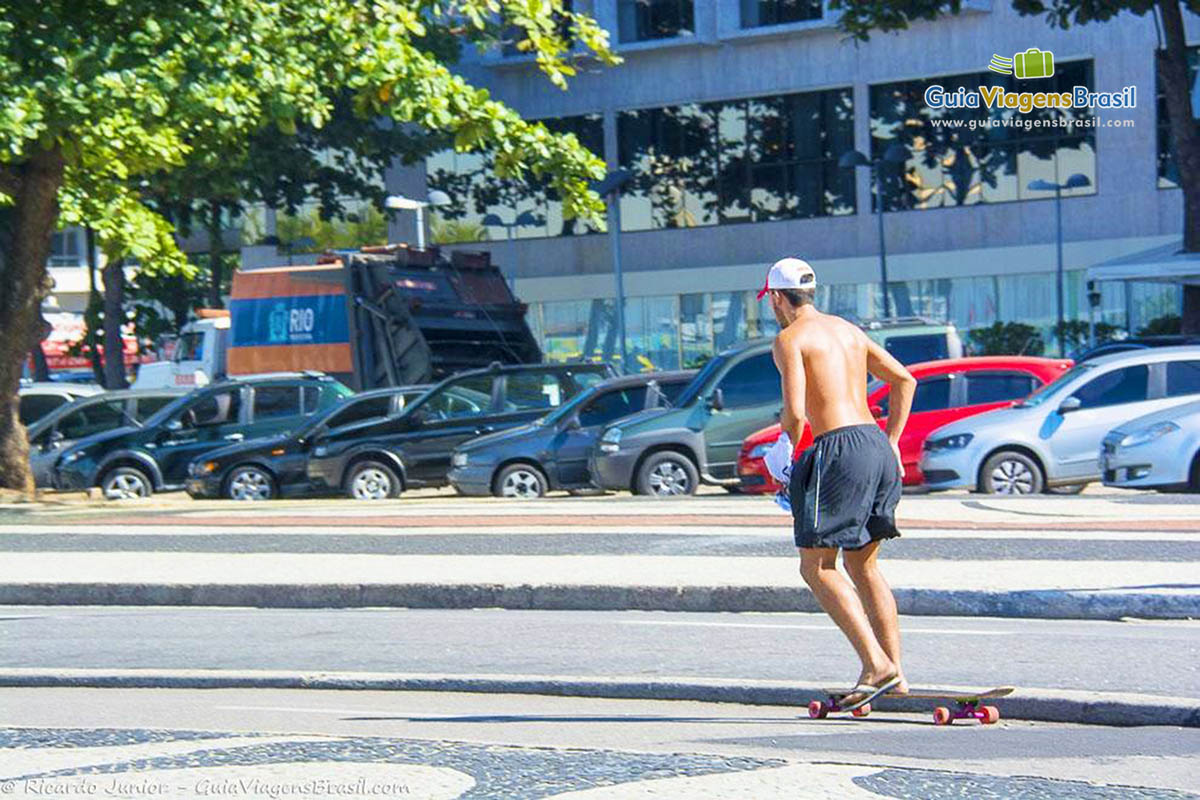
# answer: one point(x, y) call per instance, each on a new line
point(86, 417)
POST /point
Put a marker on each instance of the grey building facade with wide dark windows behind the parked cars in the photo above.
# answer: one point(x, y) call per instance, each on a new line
point(734, 118)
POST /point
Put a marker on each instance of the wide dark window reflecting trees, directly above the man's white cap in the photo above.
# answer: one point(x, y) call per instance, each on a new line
point(755, 160)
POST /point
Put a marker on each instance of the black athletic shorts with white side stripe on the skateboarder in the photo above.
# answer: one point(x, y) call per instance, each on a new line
point(845, 490)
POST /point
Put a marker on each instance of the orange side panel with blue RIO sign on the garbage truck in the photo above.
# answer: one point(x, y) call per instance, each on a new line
point(289, 320)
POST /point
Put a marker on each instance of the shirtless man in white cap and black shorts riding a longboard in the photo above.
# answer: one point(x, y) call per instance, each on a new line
point(845, 489)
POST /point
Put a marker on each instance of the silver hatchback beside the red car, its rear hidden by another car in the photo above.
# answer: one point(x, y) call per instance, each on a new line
point(1052, 438)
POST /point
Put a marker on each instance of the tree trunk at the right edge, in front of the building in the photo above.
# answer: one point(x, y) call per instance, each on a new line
point(1173, 76)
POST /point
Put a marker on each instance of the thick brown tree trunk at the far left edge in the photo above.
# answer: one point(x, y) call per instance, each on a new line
point(25, 284)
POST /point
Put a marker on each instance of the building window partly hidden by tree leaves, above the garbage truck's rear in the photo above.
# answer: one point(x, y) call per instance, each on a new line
point(477, 193)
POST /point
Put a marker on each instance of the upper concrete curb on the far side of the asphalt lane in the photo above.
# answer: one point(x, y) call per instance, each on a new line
point(1051, 604)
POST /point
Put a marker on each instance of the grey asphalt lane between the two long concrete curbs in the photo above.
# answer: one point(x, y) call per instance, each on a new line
point(1150, 658)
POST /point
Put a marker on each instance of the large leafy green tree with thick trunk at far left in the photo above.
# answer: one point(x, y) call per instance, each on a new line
point(98, 95)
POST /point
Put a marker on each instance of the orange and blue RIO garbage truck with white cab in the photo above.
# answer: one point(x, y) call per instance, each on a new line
point(387, 316)
